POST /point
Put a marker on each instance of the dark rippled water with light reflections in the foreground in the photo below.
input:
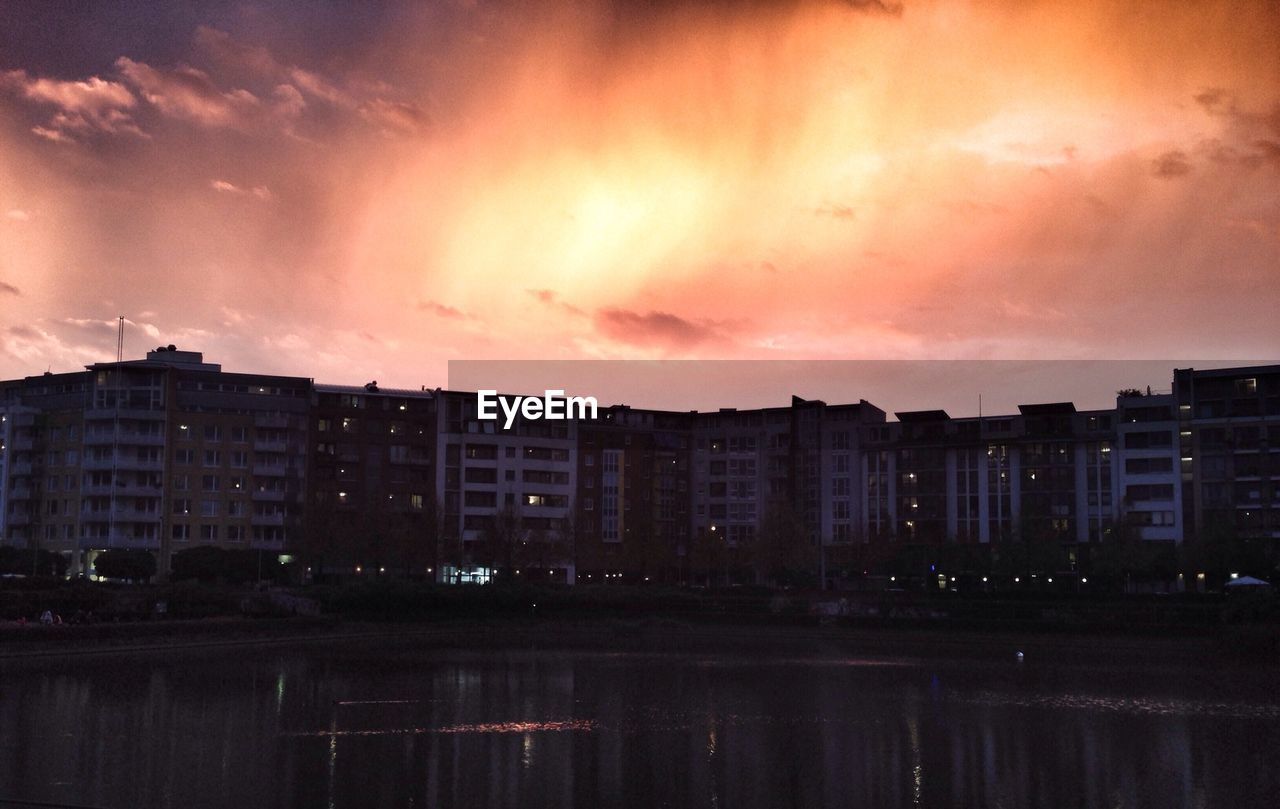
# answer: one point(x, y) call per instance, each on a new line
point(391, 725)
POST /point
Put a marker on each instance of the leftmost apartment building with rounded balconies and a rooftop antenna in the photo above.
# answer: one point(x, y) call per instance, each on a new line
point(162, 454)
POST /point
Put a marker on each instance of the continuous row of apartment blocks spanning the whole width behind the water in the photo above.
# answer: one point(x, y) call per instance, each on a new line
point(171, 453)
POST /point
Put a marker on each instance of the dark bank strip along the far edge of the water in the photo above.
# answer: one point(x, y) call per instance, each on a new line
point(1231, 647)
